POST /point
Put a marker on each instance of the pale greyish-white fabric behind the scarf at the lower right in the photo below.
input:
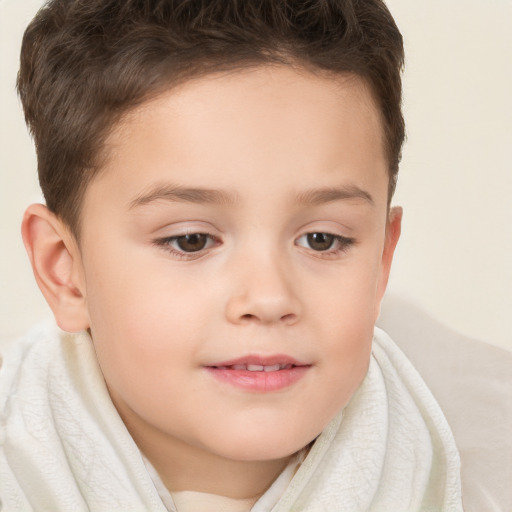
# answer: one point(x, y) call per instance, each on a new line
point(472, 382)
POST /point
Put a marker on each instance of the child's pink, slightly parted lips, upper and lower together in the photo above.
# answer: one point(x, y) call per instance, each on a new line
point(263, 380)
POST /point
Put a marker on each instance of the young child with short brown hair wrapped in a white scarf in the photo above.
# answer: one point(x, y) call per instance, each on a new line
point(218, 236)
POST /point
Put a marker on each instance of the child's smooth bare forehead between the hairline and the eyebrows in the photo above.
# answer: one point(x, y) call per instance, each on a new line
point(251, 126)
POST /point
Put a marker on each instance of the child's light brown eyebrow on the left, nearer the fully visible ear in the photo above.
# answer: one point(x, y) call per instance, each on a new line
point(183, 194)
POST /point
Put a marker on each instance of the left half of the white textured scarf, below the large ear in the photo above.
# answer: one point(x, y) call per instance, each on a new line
point(63, 446)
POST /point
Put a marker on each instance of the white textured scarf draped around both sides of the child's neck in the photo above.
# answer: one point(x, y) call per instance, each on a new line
point(64, 448)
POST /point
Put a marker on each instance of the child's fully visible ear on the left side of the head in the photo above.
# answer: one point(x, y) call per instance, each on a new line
point(57, 266)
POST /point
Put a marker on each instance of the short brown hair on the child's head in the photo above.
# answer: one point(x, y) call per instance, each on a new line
point(85, 63)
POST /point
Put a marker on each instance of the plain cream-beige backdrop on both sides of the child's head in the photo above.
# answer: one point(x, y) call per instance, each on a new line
point(454, 259)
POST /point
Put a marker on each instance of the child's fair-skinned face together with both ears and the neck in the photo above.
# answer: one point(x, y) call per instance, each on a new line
point(251, 165)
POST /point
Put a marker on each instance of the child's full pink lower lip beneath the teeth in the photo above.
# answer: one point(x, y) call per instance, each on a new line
point(262, 382)
